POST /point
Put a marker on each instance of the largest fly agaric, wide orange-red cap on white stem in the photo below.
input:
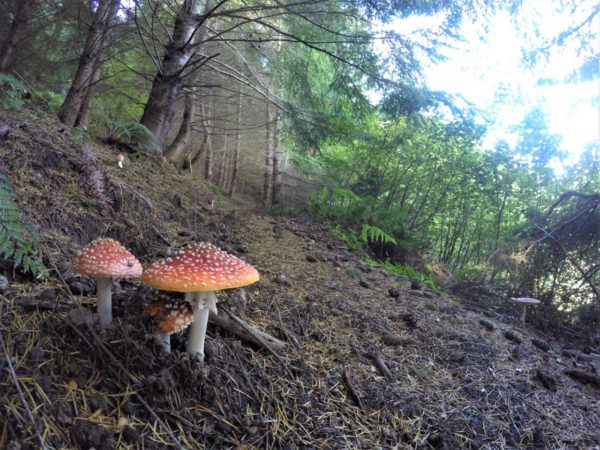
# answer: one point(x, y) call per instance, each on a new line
point(198, 270)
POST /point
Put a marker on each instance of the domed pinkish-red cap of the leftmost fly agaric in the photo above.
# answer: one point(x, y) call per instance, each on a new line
point(106, 258)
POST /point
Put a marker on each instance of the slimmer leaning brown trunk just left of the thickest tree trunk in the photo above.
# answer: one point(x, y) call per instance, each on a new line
point(89, 63)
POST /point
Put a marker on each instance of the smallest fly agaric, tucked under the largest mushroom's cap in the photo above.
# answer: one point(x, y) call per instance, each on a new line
point(170, 316)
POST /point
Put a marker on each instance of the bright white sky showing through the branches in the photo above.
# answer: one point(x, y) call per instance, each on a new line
point(489, 62)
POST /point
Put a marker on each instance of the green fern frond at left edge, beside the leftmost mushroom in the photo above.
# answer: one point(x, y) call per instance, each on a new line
point(18, 240)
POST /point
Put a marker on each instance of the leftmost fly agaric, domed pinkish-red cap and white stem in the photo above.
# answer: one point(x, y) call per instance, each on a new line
point(105, 259)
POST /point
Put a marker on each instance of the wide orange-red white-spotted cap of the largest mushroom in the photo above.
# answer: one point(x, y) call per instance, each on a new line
point(199, 267)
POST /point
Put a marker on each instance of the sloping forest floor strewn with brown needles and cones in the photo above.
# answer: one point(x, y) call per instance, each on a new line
point(369, 361)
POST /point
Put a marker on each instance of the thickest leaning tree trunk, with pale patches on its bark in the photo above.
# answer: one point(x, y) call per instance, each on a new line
point(169, 81)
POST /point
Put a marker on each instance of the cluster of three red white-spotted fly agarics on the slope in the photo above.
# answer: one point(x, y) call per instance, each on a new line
point(198, 270)
